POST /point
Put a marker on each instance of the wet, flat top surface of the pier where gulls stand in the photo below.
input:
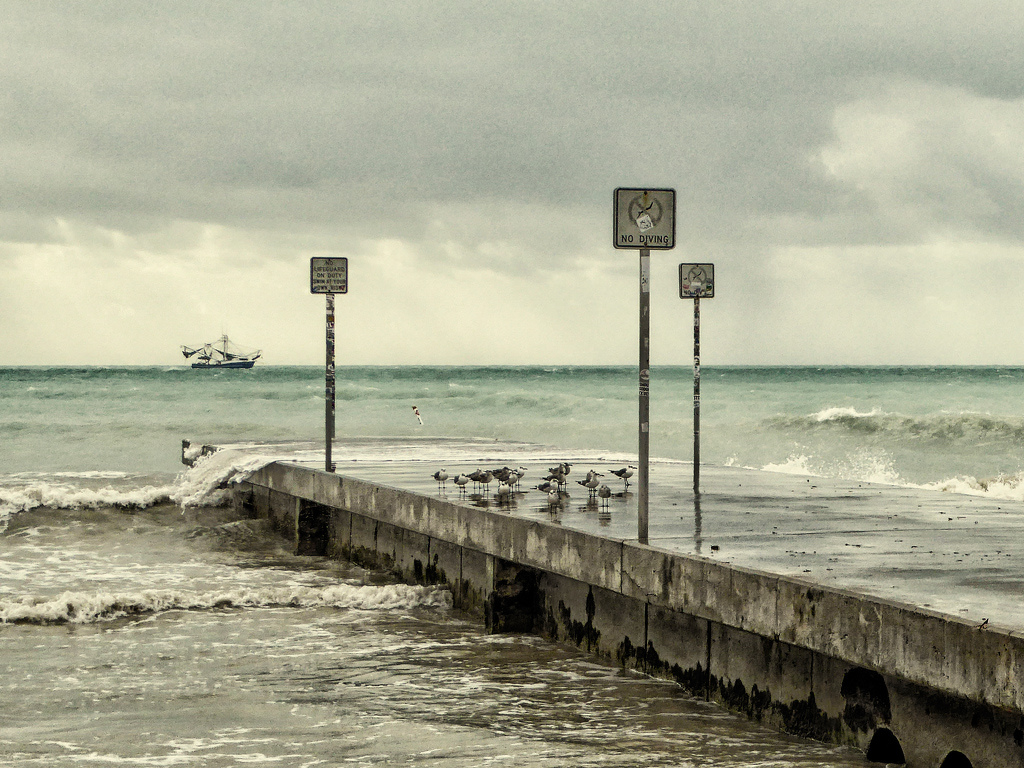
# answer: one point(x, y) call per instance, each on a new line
point(956, 554)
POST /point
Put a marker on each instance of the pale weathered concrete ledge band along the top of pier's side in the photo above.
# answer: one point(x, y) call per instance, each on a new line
point(907, 642)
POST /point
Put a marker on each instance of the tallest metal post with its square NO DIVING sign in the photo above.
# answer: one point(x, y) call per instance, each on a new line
point(645, 220)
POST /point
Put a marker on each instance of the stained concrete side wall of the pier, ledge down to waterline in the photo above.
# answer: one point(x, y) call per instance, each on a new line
point(891, 679)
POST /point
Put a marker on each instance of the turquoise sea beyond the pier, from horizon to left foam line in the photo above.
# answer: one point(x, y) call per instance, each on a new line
point(943, 428)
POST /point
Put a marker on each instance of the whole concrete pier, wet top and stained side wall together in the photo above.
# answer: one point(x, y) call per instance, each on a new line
point(848, 614)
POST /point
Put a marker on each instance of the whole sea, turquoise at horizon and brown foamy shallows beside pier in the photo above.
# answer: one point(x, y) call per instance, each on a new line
point(141, 626)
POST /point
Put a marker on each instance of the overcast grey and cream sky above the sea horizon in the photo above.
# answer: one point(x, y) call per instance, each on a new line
point(854, 170)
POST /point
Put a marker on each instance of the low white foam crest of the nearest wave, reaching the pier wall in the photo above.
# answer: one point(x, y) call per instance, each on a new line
point(84, 608)
